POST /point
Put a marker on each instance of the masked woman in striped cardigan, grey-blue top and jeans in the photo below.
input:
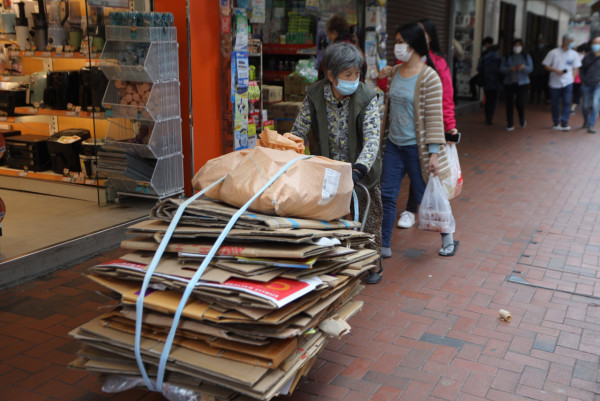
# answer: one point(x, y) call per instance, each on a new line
point(416, 129)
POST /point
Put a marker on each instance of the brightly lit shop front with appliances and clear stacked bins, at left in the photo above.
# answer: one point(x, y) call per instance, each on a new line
point(91, 124)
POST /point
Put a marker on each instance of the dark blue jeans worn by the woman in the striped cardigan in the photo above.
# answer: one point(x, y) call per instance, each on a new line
point(398, 161)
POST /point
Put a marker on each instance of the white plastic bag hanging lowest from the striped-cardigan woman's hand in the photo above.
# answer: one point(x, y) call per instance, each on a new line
point(435, 213)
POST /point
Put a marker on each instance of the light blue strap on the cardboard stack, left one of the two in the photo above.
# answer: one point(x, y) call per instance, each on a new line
point(139, 304)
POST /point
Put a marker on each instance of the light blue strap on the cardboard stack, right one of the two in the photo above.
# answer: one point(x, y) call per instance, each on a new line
point(192, 283)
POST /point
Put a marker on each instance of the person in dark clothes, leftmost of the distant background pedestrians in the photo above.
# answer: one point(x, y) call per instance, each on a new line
point(489, 69)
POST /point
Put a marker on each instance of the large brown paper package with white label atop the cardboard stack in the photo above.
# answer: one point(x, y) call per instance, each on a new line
point(314, 188)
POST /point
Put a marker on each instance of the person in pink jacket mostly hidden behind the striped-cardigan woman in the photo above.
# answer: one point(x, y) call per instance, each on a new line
point(407, 218)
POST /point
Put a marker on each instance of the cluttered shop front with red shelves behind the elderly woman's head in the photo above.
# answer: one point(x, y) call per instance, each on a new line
point(270, 55)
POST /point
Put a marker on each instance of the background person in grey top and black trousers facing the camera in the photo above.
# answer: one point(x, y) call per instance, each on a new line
point(516, 69)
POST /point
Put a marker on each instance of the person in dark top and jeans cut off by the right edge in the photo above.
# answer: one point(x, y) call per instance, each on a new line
point(590, 81)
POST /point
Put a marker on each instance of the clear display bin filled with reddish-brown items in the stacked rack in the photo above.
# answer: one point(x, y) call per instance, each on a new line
point(161, 102)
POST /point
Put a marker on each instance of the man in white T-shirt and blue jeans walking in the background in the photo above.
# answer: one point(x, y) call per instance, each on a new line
point(563, 64)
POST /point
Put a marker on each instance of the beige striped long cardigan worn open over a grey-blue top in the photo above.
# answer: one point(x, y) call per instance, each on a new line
point(429, 123)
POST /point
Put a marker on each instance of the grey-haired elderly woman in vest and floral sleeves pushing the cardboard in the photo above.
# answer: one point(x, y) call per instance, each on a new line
point(342, 113)
